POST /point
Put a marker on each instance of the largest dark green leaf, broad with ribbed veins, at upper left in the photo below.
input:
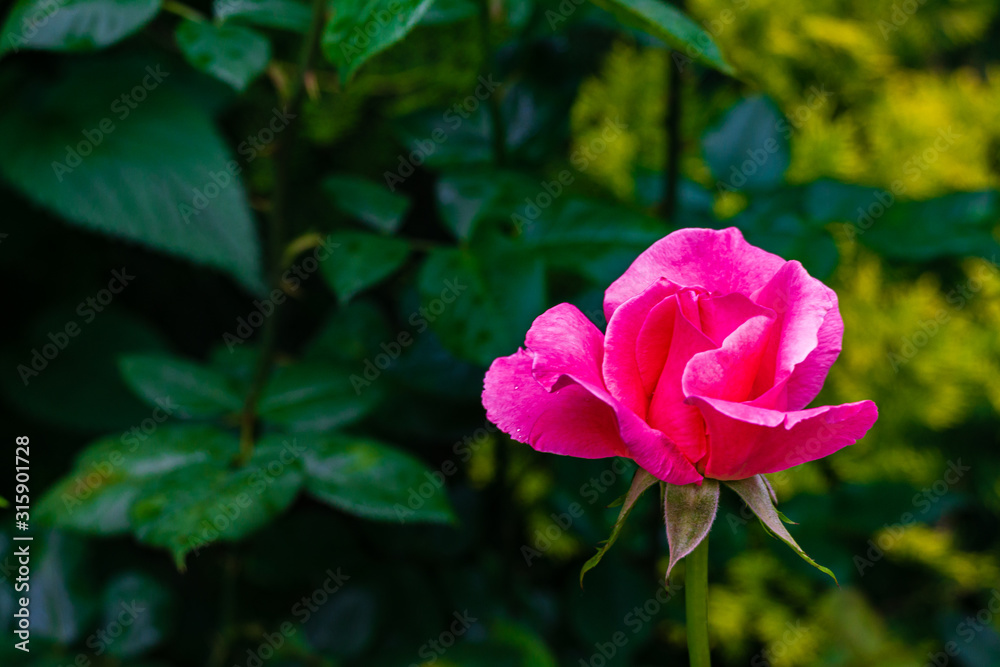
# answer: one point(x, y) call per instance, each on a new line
point(159, 176)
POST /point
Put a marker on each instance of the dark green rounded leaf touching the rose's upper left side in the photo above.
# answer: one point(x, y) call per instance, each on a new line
point(480, 300)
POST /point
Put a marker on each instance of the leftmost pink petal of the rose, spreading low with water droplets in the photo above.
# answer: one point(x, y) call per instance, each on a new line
point(570, 421)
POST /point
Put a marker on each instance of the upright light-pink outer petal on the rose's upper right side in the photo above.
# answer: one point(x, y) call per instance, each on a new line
point(806, 309)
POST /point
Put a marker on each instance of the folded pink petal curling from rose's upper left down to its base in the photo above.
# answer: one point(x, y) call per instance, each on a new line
point(567, 350)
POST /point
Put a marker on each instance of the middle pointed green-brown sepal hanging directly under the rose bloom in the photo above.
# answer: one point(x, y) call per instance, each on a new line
point(689, 511)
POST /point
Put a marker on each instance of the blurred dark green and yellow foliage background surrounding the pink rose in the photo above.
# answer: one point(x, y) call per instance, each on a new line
point(184, 201)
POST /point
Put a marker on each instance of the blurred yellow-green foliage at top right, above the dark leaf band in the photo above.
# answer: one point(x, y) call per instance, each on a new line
point(883, 121)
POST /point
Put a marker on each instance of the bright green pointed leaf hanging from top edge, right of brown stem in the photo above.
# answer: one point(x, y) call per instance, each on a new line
point(361, 29)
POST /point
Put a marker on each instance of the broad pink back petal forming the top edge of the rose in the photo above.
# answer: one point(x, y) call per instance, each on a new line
point(720, 261)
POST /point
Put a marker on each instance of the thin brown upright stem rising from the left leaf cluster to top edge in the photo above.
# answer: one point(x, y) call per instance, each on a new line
point(277, 226)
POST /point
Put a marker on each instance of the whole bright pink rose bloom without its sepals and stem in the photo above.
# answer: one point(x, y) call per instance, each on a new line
point(713, 350)
